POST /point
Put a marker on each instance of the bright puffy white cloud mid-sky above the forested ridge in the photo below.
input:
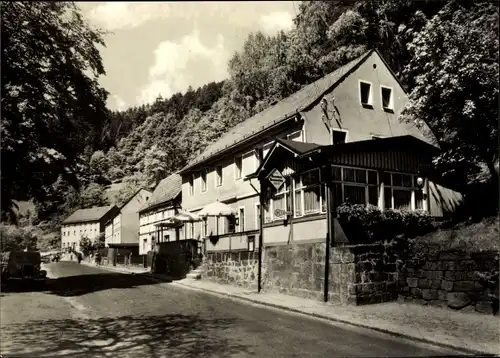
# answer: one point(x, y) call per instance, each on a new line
point(185, 63)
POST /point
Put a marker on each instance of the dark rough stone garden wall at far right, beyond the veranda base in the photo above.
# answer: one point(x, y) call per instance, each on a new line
point(449, 279)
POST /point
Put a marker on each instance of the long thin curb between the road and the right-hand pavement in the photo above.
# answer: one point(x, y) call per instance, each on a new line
point(355, 324)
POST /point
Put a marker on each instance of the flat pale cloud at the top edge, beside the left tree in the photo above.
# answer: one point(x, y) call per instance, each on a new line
point(121, 15)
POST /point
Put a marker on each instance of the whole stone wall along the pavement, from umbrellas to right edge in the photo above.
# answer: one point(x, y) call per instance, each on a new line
point(363, 274)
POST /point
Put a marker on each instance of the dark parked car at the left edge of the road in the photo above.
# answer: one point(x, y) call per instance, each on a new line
point(25, 267)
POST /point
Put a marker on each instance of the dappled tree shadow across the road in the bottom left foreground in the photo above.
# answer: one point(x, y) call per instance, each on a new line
point(152, 336)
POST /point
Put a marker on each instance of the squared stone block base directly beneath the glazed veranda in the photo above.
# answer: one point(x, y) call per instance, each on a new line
point(358, 274)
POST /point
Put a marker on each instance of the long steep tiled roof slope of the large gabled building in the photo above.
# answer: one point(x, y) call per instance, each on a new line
point(280, 111)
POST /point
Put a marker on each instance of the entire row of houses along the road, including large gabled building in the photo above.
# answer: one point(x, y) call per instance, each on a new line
point(338, 135)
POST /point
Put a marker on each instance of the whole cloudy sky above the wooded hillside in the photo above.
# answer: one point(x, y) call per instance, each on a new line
point(163, 48)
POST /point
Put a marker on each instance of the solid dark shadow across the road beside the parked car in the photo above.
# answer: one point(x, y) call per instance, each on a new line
point(78, 285)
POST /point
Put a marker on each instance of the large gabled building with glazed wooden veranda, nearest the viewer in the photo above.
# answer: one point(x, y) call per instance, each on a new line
point(358, 102)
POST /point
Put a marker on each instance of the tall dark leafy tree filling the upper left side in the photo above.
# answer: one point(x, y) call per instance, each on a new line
point(52, 104)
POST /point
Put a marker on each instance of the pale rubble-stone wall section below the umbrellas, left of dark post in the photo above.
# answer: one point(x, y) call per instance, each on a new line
point(237, 268)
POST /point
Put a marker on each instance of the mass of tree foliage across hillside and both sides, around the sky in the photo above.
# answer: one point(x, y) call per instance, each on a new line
point(445, 53)
